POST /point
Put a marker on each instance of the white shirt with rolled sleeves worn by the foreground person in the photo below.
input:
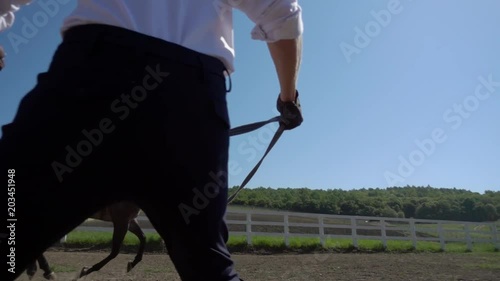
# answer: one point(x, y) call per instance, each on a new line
point(205, 26)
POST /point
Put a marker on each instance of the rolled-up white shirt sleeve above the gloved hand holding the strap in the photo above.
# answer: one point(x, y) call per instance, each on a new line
point(274, 19)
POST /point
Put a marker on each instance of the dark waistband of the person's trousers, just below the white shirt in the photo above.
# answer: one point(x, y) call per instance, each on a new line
point(144, 45)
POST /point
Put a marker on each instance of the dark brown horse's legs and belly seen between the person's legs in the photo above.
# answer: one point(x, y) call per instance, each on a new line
point(123, 215)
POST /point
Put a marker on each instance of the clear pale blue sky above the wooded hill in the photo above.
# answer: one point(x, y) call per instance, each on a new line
point(394, 93)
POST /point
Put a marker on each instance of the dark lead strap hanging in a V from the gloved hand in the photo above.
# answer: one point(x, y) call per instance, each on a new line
point(248, 128)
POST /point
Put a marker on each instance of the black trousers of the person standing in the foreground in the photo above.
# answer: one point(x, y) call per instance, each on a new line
point(123, 116)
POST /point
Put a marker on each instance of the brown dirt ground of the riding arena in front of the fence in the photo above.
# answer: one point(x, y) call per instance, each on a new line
point(293, 267)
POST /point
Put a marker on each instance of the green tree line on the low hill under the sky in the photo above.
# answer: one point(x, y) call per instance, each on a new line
point(403, 202)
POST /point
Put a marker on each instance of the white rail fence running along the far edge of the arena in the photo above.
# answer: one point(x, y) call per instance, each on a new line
point(251, 223)
